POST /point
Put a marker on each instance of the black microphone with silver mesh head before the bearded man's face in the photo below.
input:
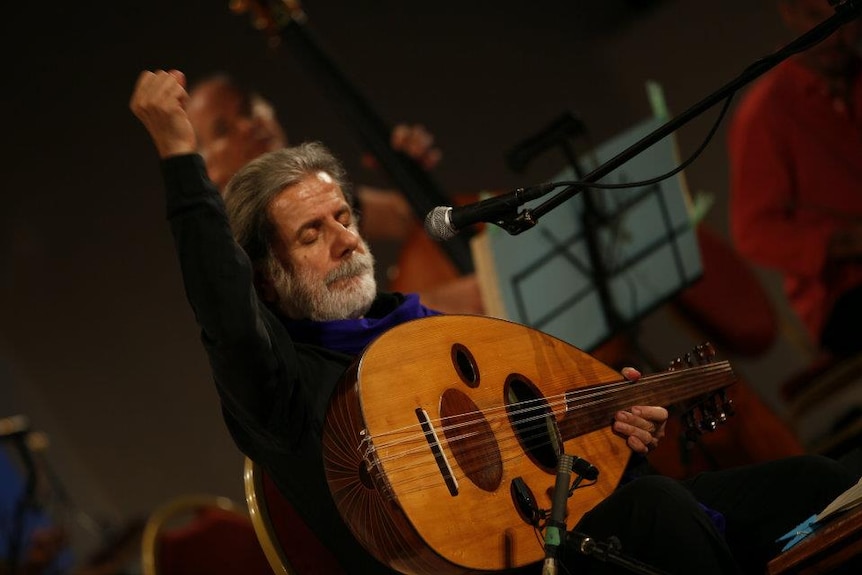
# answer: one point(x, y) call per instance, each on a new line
point(444, 222)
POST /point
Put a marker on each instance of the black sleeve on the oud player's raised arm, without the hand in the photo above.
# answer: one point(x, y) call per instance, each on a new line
point(253, 361)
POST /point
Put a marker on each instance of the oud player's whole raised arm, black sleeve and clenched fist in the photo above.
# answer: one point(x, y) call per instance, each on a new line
point(237, 332)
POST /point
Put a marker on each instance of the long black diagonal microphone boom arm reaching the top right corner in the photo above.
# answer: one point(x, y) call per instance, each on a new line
point(845, 11)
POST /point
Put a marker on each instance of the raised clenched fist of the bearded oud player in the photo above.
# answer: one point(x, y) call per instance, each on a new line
point(159, 101)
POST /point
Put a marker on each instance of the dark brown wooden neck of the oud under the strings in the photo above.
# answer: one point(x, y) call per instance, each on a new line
point(591, 408)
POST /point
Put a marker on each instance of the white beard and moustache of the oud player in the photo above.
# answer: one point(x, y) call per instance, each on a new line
point(301, 296)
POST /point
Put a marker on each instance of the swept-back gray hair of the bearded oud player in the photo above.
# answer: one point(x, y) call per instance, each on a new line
point(251, 190)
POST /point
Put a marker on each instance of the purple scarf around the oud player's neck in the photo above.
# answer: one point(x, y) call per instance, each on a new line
point(351, 336)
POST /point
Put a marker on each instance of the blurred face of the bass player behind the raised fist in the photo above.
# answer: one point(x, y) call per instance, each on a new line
point(232, 128)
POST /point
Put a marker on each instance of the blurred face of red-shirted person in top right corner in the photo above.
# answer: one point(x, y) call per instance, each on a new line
point(833, 56)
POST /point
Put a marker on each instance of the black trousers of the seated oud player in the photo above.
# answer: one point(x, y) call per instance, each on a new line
point(660, 521)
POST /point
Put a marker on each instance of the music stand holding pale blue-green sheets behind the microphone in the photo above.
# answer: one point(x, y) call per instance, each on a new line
point(597, 265)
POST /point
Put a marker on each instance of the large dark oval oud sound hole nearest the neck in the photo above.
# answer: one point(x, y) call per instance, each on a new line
point(533, 422)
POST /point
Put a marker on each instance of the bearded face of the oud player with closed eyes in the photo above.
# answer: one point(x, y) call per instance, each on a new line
point(325, 270)
